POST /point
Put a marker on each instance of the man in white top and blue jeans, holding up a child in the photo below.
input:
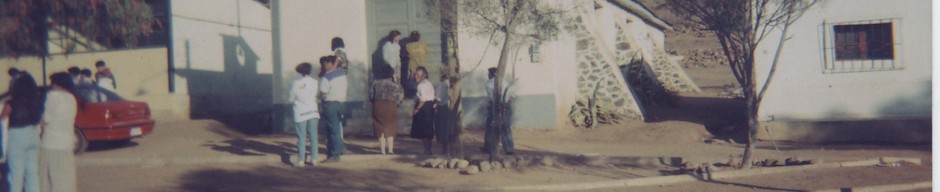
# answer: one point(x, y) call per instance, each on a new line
point(333, 90)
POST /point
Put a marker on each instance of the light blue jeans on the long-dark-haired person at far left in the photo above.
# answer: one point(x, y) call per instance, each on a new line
point(23, 159)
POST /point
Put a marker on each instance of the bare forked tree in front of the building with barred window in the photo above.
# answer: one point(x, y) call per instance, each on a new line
point(740, 26)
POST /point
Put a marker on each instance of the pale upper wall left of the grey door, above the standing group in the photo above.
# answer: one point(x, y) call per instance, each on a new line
point(306, 29)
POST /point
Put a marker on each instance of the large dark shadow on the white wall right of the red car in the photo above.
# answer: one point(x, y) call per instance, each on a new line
point(238, 96)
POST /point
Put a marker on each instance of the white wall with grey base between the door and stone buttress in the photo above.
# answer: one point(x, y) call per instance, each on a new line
point(553, 79)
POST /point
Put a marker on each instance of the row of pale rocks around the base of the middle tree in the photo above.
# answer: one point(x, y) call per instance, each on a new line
point(472, 167)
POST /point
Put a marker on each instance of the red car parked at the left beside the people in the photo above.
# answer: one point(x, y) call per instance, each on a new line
point(106, 116)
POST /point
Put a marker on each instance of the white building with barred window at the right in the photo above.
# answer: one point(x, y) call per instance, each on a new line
point(853, 70)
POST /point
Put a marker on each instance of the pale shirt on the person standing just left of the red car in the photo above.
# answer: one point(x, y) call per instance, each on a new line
point(59, 119)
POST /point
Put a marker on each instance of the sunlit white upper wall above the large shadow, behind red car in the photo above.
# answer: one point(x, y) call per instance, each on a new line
point(200, 26)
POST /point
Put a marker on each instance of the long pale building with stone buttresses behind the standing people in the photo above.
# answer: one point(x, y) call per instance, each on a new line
point(234, 60)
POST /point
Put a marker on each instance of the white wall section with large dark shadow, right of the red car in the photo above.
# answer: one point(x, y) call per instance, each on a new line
point(221, 52)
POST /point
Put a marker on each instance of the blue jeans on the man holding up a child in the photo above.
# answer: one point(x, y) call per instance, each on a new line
point(334, 140)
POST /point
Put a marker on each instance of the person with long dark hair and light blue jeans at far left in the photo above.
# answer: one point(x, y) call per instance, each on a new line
point(24, 111)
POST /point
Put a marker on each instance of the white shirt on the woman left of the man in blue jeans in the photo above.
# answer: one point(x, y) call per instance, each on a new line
point(303, 94)
